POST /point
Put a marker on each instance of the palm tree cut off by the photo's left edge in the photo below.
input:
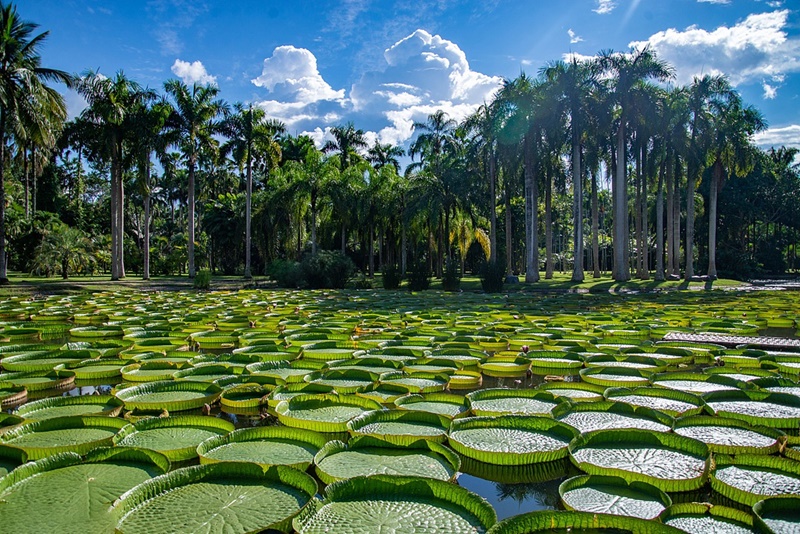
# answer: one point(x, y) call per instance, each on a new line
point(25, 98)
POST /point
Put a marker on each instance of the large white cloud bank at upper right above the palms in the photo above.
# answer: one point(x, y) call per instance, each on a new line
point(753, 49)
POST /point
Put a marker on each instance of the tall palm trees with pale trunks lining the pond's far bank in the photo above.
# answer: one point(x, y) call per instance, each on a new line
point(615, 114)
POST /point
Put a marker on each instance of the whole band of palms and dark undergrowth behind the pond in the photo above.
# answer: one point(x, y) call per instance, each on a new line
point(599, 166)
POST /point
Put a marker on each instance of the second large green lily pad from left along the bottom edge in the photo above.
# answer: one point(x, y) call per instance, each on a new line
point(229, 497)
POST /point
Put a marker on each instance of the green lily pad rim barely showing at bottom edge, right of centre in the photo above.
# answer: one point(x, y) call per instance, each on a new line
point(550, 520)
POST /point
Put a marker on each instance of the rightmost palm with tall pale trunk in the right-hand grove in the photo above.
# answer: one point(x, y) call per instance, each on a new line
point(731, 153)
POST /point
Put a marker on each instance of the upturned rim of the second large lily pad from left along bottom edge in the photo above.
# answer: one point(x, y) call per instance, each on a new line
point(155, 487)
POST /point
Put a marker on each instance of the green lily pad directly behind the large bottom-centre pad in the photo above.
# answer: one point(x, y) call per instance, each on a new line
point(365, 456)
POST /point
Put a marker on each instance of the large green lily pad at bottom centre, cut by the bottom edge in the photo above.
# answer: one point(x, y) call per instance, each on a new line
point(382, 503)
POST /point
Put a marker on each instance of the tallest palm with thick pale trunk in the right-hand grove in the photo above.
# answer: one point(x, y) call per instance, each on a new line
point(627, 70)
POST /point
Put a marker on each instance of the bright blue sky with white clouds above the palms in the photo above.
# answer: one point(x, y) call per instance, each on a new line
point(384, 64)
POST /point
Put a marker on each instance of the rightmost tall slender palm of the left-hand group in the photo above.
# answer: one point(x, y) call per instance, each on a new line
point(250, 136)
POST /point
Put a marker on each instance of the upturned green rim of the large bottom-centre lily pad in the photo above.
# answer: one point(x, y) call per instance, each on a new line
point(401, 488)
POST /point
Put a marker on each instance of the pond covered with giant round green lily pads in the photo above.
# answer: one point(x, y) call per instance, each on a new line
point(379, 411)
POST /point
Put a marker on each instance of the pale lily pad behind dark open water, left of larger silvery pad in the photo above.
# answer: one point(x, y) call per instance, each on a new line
point(510, 440)
